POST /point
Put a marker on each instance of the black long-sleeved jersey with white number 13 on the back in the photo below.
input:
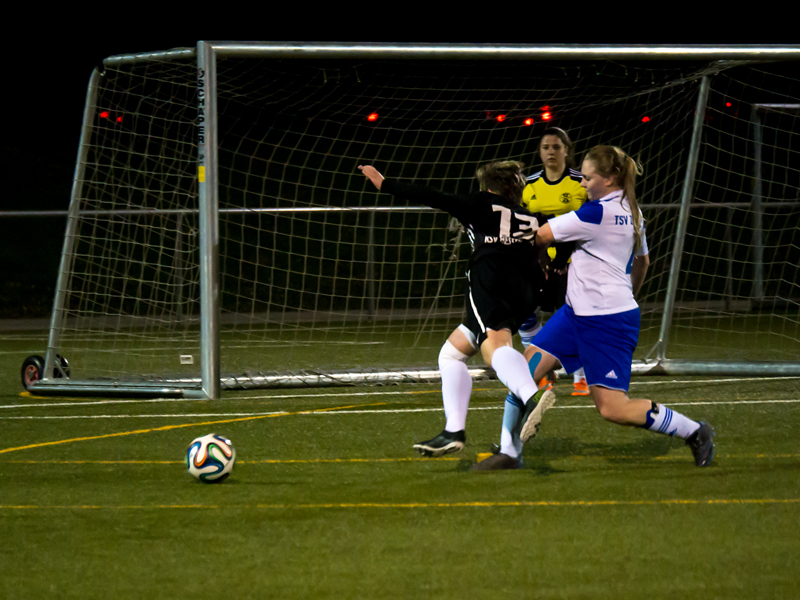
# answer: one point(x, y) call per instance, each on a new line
point(497, 227)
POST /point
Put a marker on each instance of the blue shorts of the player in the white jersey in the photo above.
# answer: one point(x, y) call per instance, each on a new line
point(602, 344)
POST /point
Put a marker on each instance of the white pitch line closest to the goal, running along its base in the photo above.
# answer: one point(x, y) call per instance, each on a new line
point(351, 394)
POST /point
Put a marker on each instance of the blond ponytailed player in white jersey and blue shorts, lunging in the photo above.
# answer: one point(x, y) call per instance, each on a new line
point(598, 327)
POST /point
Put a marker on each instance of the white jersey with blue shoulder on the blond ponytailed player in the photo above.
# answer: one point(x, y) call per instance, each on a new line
point(599, 280)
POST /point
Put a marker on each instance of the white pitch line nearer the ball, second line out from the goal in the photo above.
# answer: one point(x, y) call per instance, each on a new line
point(375, 411)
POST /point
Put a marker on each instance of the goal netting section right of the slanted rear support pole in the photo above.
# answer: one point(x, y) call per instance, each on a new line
point(738, 291)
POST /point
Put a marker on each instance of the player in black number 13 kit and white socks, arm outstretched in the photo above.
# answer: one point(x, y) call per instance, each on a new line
point(504, 282)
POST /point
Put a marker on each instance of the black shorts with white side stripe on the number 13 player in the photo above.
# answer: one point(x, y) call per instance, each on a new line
point(500, 296)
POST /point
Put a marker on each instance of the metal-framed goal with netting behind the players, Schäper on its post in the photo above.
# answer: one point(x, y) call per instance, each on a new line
point(221, 237)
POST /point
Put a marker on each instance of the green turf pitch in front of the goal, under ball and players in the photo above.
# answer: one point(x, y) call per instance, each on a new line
point(327, 499)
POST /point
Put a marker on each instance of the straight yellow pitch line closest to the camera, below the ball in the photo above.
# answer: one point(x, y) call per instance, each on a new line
point(508, 504)
